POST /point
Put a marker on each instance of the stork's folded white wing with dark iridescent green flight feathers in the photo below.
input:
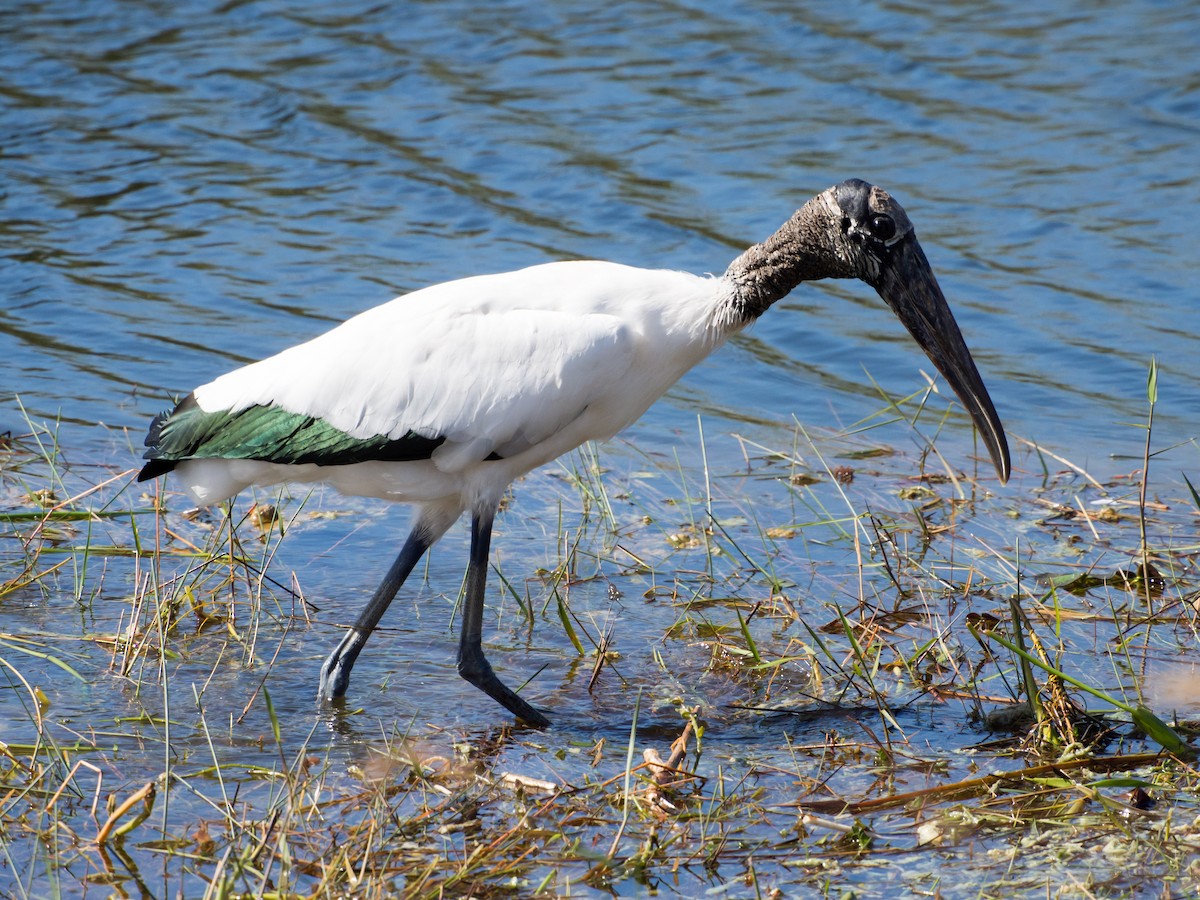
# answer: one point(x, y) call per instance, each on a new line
point(428, 373)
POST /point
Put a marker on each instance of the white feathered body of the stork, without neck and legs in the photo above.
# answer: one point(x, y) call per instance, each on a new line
point(509, 371)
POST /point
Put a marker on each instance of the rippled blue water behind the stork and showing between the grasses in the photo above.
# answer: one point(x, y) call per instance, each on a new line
point(188, 188)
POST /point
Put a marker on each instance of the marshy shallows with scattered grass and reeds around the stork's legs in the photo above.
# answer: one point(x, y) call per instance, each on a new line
point(825, 667)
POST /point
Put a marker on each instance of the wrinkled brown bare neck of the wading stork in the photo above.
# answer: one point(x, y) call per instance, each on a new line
point(802, 250)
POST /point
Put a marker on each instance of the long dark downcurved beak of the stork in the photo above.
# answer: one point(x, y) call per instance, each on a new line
point(908, 285)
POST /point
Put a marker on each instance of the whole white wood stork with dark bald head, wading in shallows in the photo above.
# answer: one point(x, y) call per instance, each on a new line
point(442, 398)
